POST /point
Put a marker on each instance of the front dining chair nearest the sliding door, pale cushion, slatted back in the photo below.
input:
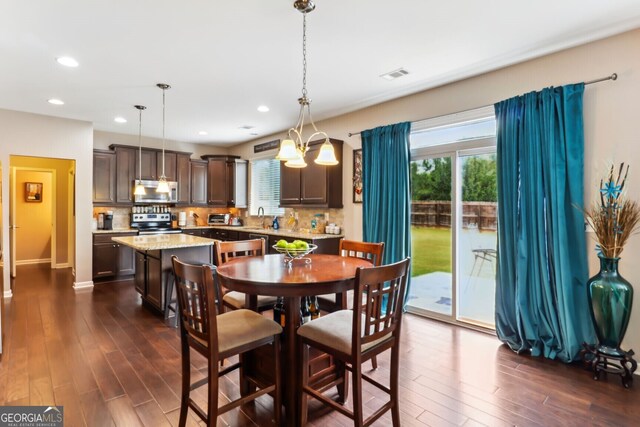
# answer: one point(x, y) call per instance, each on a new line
point(355, 336)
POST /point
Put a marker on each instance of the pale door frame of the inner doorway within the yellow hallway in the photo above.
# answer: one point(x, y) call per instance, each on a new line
point(12, 214)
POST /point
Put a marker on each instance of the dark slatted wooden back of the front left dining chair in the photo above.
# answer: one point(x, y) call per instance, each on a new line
point(196, 289)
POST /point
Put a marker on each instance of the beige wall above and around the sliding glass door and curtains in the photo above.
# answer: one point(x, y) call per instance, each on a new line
point(611, 117)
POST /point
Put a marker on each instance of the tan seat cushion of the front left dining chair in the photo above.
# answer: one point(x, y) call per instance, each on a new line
point(240, 327)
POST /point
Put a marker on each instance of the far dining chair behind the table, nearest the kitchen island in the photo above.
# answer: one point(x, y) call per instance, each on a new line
point(225, 251)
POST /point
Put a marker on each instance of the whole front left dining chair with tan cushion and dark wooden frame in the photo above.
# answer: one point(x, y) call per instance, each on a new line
point(218, 336)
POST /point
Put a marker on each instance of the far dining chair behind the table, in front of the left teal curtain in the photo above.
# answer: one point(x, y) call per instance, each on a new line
point(355, 249)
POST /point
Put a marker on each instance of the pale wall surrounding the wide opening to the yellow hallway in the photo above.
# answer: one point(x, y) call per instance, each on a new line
point(24, 134)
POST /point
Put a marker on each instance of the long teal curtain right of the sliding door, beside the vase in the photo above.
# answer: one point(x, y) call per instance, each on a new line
point(541, 298)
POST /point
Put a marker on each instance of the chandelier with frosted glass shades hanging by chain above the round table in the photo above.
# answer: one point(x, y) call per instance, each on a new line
point(294, 148)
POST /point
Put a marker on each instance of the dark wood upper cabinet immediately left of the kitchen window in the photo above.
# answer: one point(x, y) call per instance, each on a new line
point(226, 181)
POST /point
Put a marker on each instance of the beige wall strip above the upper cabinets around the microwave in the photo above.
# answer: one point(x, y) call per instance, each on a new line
point(102, 140)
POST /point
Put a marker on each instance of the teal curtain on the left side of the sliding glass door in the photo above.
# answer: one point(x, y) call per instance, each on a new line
point(386, 190)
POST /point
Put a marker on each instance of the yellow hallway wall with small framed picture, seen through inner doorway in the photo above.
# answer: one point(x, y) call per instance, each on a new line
point(33, 238)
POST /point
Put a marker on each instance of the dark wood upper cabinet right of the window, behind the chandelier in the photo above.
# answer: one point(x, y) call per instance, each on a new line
point(314, 185)
